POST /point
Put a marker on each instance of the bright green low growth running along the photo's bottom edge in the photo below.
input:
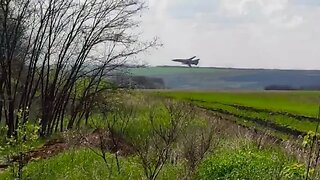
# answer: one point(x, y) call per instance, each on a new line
point(246, 162)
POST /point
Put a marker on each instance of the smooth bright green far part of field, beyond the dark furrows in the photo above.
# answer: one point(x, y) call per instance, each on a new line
point(302, 103)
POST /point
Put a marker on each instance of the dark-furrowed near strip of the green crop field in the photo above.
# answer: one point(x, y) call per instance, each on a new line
point(284, 122)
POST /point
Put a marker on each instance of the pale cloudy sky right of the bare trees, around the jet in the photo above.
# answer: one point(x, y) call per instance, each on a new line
point(277, 34)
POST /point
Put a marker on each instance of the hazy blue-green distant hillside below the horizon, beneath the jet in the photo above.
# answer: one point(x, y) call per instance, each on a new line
point(203, 78)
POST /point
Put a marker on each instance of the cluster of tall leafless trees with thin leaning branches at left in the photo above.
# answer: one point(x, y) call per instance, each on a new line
point(65, 41)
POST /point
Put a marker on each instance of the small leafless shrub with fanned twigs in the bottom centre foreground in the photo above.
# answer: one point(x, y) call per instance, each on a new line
point(166, 127)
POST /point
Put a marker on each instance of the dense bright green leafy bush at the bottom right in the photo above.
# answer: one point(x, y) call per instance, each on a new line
point(249, 163)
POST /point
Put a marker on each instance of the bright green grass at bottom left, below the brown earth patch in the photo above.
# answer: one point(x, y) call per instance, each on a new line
point(84, 164)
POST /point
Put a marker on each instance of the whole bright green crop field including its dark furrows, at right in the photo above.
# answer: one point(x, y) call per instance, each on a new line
point(293, 113)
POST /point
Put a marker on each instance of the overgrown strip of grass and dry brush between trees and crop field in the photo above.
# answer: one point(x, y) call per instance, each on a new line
point(153, 138)
